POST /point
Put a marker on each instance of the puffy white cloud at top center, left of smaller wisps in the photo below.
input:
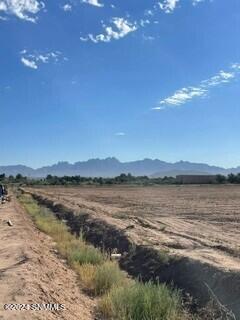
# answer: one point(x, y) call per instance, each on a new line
point(120, 28)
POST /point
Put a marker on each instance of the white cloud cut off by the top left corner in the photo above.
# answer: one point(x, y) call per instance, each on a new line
point(23, 9)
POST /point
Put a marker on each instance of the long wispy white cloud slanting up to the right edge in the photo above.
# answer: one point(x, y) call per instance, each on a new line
point(185, 95)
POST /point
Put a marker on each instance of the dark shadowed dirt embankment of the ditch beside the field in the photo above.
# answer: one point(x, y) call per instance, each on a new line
point(192, 276)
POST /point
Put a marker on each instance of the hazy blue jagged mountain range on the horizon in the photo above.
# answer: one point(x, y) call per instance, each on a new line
point(111, 167)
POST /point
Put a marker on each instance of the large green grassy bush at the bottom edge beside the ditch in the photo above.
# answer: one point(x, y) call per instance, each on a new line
point(140, 301)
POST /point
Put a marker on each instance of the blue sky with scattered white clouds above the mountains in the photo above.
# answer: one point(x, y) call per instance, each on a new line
point(131, 79)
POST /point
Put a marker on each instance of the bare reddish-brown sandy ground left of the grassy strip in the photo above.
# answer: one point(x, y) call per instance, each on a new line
point(31, 272)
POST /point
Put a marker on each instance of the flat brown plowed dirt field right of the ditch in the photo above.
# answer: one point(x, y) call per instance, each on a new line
point(200, 222)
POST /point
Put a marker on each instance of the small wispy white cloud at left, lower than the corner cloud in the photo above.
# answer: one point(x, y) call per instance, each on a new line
point(33, 60)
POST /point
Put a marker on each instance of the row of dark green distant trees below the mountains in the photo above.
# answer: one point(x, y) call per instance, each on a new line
point(121, 179)
